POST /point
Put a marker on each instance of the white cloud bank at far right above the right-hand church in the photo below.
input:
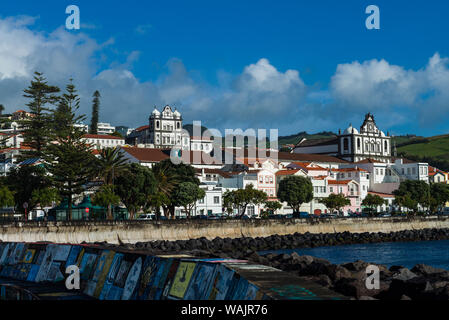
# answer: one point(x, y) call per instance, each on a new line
point(378, 86)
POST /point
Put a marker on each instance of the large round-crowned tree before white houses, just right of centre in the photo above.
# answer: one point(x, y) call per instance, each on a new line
point(295, 190)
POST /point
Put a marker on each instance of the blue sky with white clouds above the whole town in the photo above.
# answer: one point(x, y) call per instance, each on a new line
point(292, 65)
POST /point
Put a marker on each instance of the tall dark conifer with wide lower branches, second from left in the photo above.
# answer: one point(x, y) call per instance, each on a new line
point(69, 159)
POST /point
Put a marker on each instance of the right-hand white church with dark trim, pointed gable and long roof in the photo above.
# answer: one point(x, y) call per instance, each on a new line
point(352, 145)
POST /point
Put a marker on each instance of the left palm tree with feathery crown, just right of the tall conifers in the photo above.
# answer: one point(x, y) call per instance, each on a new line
point(110, 164)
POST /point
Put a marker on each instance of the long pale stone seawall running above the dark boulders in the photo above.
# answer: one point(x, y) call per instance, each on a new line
point(142, 231)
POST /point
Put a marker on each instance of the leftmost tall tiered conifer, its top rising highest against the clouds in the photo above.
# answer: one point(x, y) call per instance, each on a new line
point(38, 129)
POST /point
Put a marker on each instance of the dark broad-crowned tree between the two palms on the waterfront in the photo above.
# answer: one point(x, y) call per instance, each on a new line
point(135, 188)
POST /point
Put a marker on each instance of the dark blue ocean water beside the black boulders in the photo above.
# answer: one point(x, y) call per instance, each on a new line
point(407, 254)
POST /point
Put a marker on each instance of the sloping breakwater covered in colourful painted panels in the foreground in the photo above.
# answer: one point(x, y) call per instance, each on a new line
point(38, 271)
